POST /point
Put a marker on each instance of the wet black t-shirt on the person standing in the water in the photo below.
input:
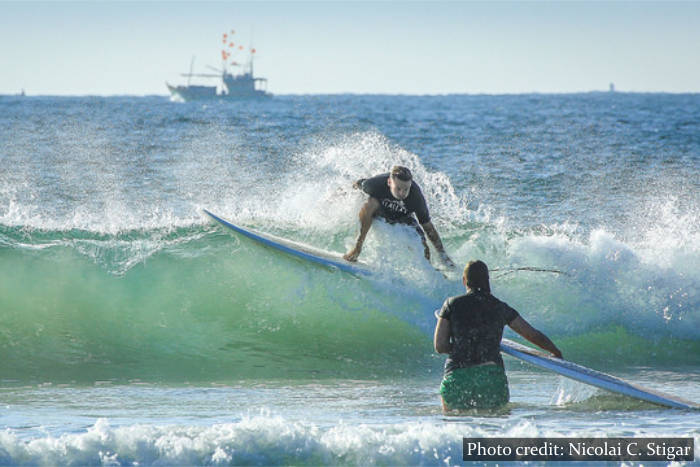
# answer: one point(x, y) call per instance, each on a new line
point(476, 320)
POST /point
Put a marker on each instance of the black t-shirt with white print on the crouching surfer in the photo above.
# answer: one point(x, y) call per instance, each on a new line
point(392, 209)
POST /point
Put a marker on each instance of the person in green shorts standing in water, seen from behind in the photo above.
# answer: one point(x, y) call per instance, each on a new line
point(469, 329)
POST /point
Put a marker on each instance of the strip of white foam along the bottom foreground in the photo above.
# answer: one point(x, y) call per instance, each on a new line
point(265, 440)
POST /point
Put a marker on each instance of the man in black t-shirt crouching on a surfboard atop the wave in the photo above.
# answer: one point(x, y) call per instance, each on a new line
point(395, 197)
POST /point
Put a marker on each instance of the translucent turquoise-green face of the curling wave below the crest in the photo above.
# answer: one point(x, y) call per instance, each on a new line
point(254, 313)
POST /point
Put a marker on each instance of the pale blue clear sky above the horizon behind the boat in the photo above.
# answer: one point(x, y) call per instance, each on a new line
point(103, 48)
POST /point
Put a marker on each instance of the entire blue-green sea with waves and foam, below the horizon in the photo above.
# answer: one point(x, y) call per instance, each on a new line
point(135, 331)
